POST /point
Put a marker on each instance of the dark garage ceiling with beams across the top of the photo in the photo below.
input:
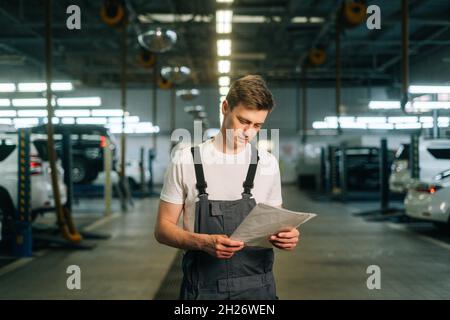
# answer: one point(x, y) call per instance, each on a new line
point(273, 48)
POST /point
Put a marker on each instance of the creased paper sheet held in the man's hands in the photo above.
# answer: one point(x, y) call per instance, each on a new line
point(265, 220)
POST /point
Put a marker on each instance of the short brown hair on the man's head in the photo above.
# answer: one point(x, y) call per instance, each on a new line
point(252, 92)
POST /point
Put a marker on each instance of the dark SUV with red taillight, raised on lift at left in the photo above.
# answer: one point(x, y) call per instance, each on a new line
point(88, 142)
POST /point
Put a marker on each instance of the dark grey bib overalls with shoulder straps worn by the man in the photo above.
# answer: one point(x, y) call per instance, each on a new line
point(248, 274)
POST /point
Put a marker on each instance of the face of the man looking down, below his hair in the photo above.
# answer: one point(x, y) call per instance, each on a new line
point(242, 123)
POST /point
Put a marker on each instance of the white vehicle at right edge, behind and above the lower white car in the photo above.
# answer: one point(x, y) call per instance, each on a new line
point(434, 157)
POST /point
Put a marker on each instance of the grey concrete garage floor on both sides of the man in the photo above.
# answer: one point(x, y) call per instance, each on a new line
point(330, 263)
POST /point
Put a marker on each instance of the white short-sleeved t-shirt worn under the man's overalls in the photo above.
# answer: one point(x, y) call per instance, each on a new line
point(224, 175)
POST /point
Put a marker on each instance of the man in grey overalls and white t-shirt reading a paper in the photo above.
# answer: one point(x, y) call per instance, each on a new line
point(215, 185)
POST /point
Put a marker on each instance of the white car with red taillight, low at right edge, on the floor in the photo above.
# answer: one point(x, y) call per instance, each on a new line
point(430, 201)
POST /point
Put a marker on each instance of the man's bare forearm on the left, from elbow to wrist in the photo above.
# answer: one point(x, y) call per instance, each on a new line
point(172, 235)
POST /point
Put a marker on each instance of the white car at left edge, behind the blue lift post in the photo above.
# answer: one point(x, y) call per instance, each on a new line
point(41, 189)
